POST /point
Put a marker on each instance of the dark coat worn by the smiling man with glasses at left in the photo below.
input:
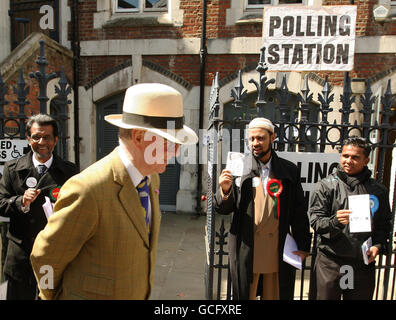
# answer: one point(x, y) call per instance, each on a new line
point(24, 227)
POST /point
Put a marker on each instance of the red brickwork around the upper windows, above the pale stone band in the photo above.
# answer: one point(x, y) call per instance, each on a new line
point(216, 23)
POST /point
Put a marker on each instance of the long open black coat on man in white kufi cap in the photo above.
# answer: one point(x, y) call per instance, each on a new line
point(293, 218)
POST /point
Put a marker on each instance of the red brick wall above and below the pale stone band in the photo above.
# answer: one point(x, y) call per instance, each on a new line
point(187, 66)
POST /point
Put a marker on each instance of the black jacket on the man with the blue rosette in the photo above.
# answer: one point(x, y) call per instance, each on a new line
point(333, 238)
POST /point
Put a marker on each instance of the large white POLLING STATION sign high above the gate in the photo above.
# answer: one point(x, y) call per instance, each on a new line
point(309, 39)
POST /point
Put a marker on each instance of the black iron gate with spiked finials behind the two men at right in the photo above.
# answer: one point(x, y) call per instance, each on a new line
point(292, 134)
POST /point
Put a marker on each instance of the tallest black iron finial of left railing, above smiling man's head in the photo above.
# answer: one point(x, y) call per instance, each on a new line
point(42, 78)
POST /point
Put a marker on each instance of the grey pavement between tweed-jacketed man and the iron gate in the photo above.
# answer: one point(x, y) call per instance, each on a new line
point(181, 256)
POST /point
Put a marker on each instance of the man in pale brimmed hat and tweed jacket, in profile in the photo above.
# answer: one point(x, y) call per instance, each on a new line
point(102, 238)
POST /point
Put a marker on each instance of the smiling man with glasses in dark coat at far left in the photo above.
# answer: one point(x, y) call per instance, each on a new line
point(25, 184)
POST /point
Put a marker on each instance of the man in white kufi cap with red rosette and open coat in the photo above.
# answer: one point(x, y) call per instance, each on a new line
point(268, 203)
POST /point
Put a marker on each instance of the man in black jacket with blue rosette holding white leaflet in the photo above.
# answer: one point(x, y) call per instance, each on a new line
point(339, 251)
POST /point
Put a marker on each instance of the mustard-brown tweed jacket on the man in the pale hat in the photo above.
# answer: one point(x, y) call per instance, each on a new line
point(96, 242)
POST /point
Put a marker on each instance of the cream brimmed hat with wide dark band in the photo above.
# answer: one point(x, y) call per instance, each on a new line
point(156, 108)
